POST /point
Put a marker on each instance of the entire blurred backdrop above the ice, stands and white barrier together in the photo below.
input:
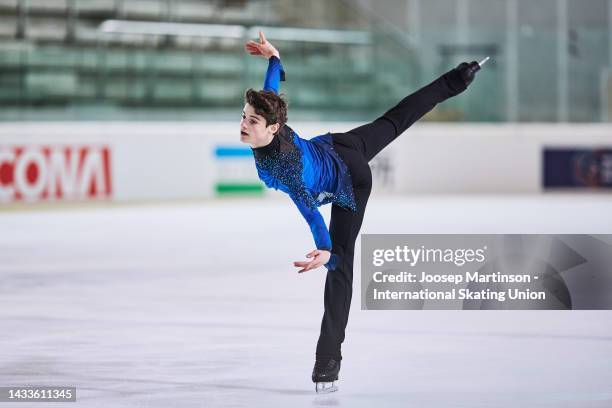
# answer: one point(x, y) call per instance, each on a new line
point(132, 76)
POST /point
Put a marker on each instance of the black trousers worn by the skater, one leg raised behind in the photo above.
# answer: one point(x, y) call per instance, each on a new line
point(356, 148)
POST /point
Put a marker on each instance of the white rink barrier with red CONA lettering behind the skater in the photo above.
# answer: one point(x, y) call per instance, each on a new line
point(187, 160)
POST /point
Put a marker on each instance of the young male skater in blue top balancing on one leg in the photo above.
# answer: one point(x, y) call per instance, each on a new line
point(331, 168)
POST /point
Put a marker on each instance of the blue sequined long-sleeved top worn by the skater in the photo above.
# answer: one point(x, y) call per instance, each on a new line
point(309, 171)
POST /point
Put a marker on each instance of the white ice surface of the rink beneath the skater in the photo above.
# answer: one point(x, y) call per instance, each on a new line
point(198, 305)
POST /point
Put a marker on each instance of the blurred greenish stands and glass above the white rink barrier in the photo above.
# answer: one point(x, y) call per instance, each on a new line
point(183, 59)
